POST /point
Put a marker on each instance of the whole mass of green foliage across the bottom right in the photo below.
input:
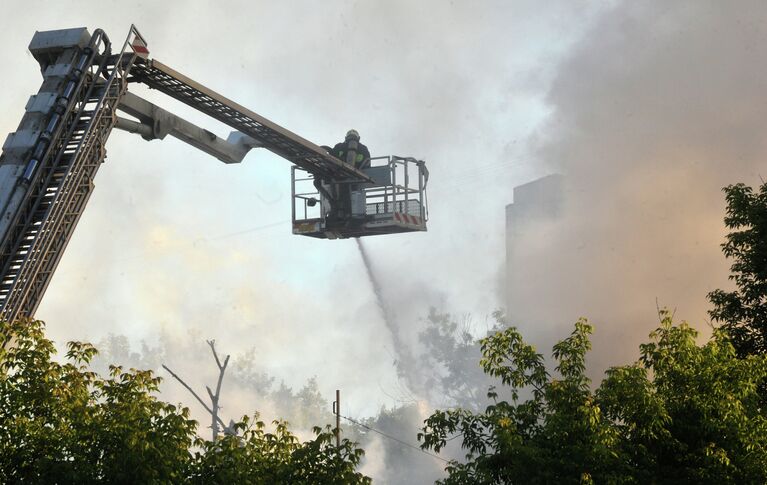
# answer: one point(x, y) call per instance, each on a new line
point(683, 414)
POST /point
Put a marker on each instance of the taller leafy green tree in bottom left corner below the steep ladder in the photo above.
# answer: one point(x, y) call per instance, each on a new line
point(63, 423)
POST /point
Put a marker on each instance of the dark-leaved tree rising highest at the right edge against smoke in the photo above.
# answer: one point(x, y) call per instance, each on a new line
point(743, 311)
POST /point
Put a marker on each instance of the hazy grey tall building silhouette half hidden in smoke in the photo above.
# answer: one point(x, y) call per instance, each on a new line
point(536, 202)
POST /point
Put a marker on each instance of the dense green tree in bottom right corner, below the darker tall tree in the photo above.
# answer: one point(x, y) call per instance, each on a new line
point(699, 419)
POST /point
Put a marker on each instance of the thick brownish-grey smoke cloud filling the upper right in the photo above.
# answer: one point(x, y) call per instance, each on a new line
point(656, 109)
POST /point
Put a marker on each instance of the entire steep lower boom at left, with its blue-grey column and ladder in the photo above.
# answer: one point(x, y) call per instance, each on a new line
point(48, 164)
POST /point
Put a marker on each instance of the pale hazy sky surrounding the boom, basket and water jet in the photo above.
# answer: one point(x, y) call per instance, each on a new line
point(174, 242)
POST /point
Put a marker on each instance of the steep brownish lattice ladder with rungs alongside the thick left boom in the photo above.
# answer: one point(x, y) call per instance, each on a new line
point(61, 181)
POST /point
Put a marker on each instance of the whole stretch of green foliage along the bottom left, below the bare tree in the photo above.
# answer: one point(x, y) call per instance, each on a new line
point(63, 423)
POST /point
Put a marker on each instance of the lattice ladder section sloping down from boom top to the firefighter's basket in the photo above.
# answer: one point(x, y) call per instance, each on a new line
point(269, 135)
